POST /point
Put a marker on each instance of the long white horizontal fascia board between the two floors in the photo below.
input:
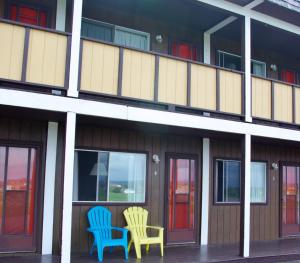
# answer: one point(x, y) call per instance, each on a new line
point(123, 112)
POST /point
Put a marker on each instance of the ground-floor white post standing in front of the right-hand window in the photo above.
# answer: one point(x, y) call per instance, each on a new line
point(245, 206)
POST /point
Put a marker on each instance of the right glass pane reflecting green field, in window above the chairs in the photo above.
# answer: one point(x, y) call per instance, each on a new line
point(127, 173)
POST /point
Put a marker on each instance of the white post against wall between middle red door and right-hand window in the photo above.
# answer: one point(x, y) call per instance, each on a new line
point(205, 190)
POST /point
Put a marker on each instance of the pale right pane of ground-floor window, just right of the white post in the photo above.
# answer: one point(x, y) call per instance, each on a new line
point(258, 182)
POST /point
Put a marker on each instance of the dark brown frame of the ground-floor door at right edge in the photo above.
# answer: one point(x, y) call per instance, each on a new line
point(281, 164)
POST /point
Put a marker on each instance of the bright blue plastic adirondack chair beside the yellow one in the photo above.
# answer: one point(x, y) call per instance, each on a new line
point(101, 228)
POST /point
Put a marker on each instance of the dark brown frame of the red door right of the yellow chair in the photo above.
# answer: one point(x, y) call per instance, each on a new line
point(195, 157)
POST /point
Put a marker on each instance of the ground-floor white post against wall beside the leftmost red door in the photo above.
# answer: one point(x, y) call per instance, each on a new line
point(49, 188)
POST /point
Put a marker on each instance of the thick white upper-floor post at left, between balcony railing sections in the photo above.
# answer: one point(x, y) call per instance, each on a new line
point(75, 49)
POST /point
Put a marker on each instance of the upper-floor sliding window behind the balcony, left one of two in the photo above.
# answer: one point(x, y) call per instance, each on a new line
point(116, 34)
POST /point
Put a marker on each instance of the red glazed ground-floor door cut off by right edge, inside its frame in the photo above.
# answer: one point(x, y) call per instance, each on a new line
point(290, 201)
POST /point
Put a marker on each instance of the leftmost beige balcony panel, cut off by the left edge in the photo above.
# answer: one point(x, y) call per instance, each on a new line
point(11, 51)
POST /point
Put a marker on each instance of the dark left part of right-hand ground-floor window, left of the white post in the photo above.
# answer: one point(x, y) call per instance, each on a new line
point(228, 180)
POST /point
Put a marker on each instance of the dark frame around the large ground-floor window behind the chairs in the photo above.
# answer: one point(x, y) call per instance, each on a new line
point(109, 203)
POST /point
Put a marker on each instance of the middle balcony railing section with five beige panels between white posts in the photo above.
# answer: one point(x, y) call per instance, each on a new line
point(113, 70)
